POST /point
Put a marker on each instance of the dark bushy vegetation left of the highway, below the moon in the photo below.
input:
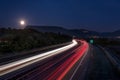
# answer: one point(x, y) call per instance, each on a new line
point(16, 40)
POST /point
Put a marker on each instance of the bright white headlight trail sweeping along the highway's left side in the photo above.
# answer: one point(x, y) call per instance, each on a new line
point(7, 68)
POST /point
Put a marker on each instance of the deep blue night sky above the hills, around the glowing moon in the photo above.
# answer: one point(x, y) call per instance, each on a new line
point(98, 15)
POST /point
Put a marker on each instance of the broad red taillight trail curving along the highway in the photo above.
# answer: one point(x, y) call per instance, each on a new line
point(62, 70)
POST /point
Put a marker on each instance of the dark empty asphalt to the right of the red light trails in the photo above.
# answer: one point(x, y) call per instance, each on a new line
point(95, 66)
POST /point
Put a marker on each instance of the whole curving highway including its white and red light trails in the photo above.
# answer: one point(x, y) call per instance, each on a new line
point(76, 61)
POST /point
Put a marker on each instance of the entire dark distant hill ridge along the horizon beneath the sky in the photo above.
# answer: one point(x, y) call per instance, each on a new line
point(75, 32)
